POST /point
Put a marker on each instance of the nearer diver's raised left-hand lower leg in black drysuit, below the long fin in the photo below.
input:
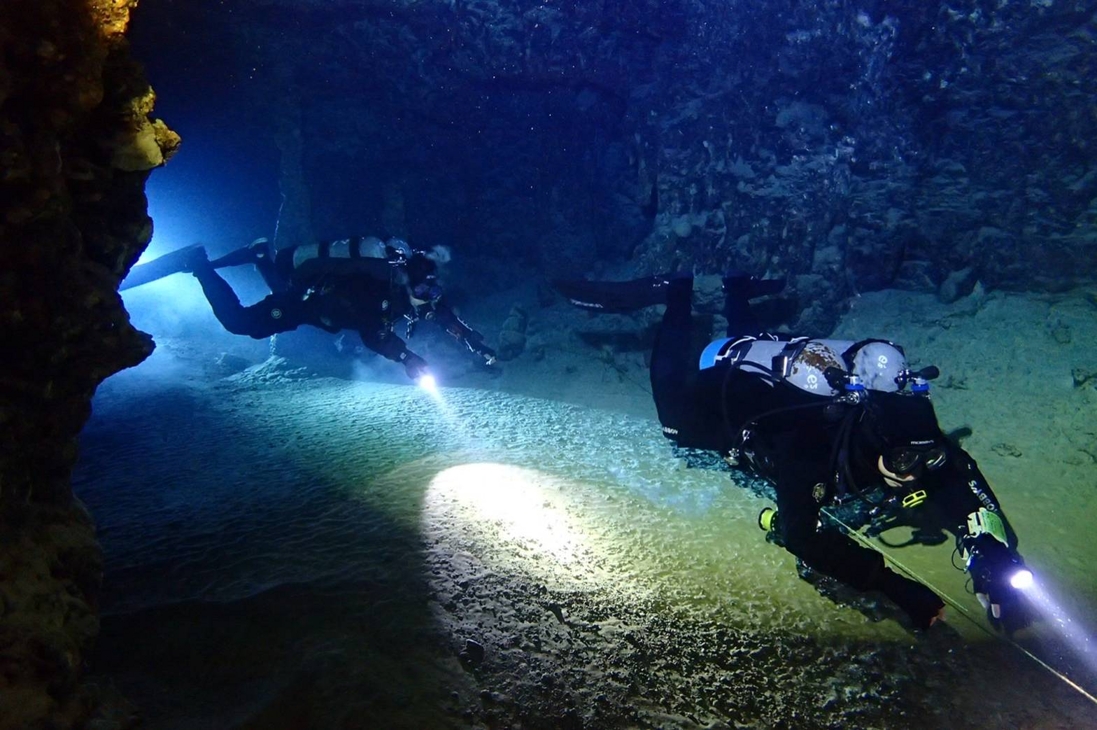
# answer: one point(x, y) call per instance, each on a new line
point(672, 357)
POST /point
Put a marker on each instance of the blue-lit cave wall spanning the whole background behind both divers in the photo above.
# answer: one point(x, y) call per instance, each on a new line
point(849, 147)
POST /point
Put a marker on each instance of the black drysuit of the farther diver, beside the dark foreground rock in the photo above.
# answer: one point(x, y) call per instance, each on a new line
point(370, 299)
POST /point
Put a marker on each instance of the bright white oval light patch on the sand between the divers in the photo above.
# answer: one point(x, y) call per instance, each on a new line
point(519, 502)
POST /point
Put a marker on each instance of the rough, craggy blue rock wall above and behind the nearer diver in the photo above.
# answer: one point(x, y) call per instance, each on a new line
point(858, 147)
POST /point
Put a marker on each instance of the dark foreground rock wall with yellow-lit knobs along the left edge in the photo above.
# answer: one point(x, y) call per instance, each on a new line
point(76, 143)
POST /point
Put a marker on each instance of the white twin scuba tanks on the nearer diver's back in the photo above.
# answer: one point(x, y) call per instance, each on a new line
point(879, 365)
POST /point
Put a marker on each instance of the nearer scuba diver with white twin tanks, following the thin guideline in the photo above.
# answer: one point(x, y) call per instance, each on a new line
point(825, 422)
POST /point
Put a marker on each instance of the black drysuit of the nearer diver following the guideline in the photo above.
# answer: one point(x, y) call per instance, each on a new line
point(793, 439)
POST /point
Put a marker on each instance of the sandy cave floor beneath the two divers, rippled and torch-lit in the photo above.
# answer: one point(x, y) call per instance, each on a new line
point(287, 552)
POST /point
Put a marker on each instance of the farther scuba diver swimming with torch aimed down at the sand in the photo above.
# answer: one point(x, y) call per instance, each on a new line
point(354, 284)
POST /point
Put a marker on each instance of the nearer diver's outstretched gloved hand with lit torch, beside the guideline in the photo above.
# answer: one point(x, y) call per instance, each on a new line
point(999, 577)
